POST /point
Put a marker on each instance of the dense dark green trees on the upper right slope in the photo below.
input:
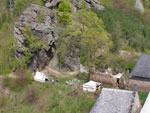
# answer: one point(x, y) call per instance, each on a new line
point(133, 30)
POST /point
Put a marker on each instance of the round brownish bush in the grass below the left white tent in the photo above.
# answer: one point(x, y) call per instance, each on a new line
point(31, 94)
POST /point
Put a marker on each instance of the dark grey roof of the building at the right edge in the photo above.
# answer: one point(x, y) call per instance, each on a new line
point(142, 68)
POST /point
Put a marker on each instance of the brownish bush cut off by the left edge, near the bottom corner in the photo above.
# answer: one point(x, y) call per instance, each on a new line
point(4, 98)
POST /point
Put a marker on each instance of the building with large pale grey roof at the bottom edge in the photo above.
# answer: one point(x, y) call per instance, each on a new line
point(116, 101)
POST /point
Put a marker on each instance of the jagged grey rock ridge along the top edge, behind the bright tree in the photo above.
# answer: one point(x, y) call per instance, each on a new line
point(77, 4)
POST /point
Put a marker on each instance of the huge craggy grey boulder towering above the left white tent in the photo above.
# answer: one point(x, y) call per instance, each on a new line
point(41, 29)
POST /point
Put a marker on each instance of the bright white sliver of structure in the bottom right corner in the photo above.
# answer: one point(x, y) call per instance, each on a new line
point(146, 107)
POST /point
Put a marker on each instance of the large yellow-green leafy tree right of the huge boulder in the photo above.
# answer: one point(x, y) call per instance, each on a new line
point(85, 32)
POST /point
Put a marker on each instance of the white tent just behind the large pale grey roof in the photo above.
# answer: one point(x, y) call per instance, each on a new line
point(91, 86)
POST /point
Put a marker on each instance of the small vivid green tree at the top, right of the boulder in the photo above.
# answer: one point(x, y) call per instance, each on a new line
point(64, 11)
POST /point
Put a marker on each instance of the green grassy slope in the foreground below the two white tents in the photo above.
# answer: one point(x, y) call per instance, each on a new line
point(57, 98)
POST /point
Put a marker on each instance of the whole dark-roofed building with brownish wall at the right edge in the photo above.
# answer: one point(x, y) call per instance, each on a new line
point(141, 73)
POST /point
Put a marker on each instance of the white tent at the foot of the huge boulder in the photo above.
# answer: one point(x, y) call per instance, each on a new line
point(40, 77)
